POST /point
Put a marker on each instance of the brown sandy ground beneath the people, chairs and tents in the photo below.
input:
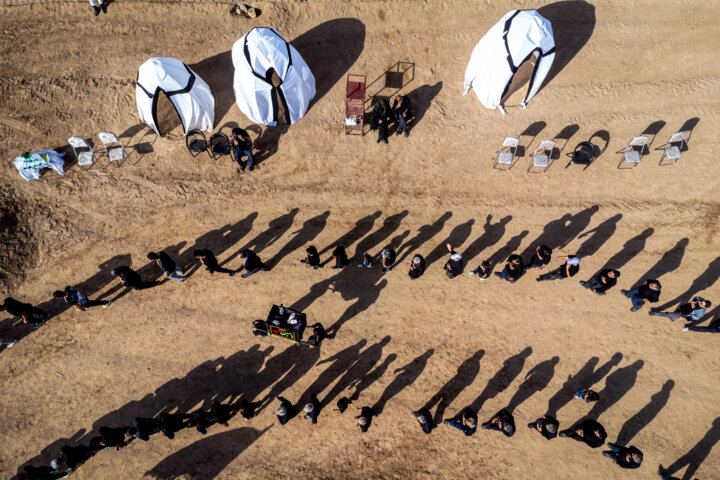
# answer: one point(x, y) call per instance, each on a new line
point(622, 67)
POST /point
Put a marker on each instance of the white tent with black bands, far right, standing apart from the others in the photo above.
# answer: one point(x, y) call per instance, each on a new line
point(507, 45)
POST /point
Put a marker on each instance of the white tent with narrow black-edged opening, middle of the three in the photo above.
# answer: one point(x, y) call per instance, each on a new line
point(261, 57)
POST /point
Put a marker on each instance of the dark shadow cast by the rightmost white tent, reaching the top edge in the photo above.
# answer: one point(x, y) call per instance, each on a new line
point(573, 23)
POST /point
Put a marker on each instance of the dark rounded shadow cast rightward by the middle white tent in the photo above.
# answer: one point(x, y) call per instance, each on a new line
point(330, 49)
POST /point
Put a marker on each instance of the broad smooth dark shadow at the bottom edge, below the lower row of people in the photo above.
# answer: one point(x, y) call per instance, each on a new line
point(208, 457)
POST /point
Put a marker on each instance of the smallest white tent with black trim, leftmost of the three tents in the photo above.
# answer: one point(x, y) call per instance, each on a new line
point(188, 92)
